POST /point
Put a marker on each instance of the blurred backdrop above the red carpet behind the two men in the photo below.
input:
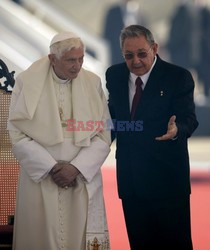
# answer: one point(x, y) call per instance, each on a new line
point(180, 27)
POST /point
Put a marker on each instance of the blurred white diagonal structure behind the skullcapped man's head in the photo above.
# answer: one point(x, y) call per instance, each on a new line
point(26, 36)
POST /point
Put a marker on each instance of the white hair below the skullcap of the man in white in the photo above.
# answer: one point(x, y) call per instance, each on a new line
point(59, 48)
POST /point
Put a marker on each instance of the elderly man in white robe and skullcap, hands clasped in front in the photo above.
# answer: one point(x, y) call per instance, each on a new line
point(57, 124)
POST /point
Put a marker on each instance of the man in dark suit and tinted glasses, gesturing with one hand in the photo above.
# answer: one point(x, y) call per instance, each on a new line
point(152, 159)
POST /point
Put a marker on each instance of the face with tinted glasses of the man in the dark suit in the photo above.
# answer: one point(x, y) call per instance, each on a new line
point(139, 55)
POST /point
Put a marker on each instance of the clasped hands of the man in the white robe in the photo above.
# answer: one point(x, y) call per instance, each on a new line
point(64, 174)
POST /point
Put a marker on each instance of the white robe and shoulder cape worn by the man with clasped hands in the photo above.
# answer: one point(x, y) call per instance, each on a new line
point(49, 217)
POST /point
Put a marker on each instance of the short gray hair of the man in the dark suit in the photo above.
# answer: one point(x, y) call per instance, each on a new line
point(136, 31)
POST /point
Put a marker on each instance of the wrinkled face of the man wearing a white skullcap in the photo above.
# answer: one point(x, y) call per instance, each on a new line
point(69, 64)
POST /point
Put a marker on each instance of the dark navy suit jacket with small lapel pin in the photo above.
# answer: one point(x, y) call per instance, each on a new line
point(146, 167)
